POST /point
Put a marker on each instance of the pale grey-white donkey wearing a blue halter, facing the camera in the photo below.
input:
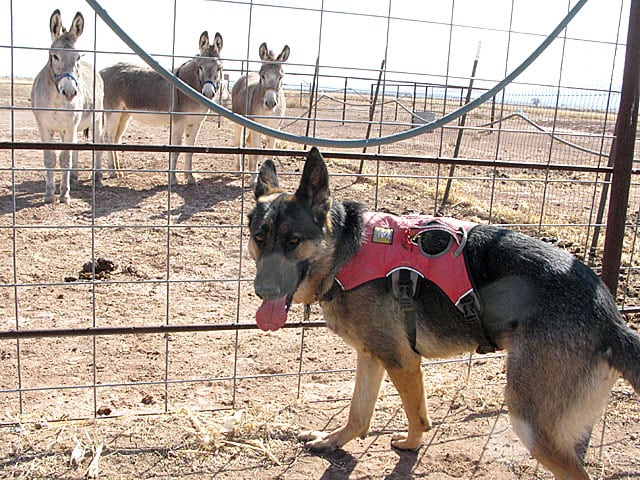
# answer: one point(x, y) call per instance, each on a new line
point(66, 98)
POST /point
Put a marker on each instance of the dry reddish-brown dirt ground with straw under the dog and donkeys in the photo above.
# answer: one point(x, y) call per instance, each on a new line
point(225, 403)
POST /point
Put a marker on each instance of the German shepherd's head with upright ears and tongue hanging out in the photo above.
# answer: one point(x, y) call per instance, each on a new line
point(290, 239)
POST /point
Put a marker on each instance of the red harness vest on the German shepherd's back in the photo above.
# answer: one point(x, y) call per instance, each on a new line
point(392, 243)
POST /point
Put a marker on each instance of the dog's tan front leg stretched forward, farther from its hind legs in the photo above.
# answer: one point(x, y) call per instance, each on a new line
point(369, 374)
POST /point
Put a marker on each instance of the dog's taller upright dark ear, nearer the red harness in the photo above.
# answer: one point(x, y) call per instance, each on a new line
point(314, 185)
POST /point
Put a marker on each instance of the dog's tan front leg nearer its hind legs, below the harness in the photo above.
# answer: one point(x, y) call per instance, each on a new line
point(409, 383)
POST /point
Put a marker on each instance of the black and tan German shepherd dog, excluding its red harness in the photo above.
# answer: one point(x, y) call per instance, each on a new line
point(565, 338)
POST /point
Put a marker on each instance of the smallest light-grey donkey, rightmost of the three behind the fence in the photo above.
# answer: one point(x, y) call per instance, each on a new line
point(260, 94)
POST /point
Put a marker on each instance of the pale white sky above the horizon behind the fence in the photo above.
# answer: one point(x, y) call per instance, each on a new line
point(351, 36)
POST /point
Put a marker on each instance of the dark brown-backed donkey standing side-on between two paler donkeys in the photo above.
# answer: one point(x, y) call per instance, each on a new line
point(130, 90)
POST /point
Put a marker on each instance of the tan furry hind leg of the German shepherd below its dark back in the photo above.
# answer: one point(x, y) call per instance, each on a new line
point(553, 409)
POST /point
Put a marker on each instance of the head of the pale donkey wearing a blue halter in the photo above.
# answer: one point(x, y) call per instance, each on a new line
point(64, 61)
